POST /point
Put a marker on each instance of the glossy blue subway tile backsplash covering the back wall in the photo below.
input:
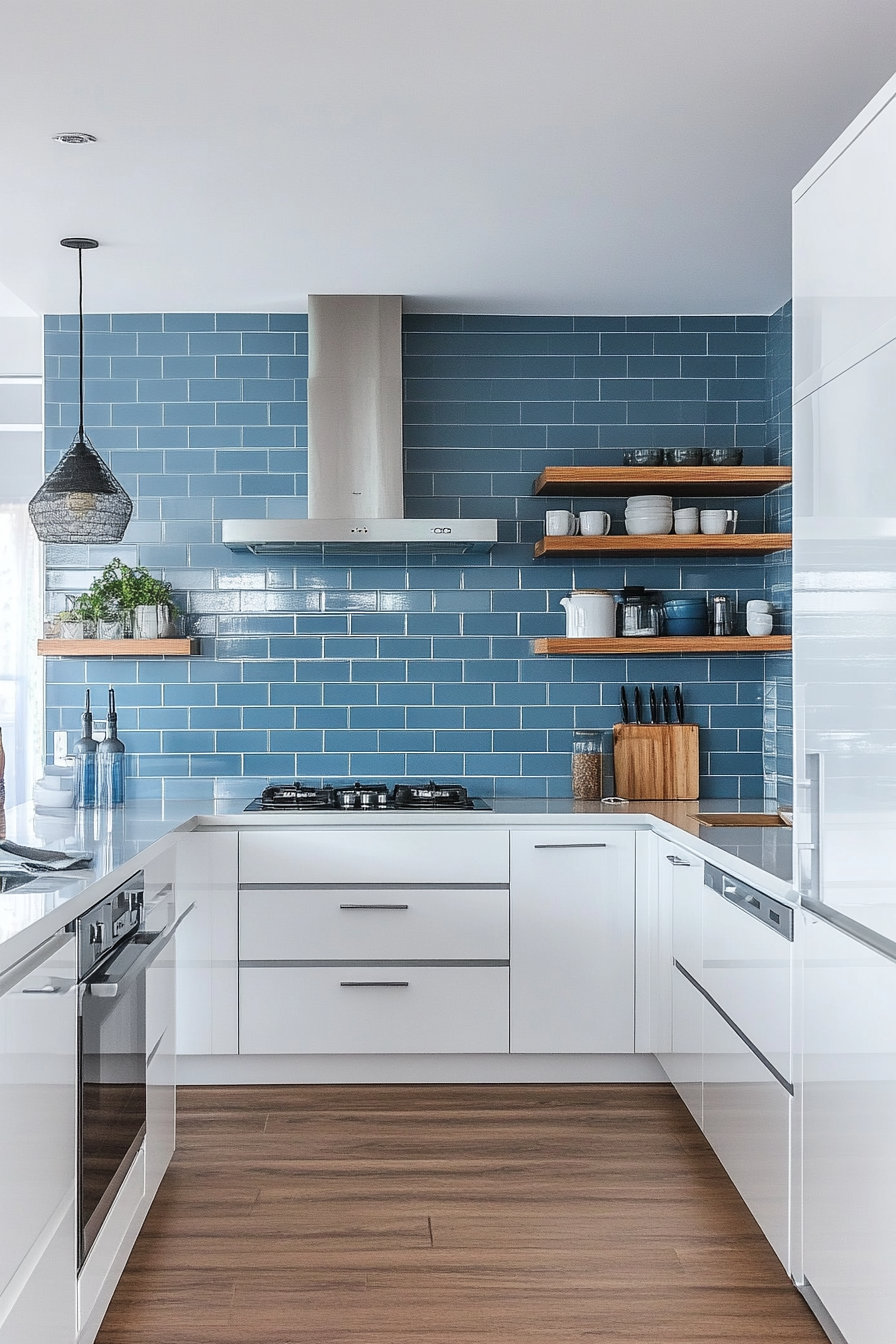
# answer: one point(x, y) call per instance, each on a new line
point(341, 669)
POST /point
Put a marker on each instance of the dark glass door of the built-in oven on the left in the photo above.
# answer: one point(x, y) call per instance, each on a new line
point(112, 1083)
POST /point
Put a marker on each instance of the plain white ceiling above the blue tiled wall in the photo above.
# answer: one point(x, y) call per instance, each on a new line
point(530, 157)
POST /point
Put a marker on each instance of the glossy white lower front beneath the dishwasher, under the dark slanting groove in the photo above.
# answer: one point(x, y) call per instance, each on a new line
point(746, 1119)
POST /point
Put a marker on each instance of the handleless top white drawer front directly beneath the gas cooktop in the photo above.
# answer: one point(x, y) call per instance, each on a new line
point(382, 854)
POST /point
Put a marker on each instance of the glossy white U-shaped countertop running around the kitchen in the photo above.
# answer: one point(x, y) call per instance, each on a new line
point(123, 839)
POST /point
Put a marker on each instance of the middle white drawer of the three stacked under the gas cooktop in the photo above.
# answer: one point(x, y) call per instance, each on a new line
point(355, 925)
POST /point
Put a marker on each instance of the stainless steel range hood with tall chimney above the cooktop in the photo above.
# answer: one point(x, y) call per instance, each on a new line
point(355, 478)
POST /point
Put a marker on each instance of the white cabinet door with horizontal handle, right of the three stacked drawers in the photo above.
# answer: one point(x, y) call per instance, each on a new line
point(573, 941)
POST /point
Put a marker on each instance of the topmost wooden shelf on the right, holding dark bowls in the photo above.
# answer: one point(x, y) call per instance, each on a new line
point(670, 480)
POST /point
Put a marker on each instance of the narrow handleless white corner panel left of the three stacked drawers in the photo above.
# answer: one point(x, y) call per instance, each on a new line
point(208, 946)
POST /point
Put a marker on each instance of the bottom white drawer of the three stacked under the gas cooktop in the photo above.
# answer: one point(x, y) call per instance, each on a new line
point(310, 1011)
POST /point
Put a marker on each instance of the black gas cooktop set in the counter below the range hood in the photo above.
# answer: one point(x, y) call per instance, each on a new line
point(367, 798)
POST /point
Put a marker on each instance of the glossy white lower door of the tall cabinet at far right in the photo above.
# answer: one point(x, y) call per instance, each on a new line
point(850, 1128)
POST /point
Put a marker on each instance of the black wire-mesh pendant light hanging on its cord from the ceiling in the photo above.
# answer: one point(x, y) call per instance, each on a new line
point(81, 501)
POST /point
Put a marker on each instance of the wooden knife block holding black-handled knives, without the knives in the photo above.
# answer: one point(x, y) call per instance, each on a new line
point(658, 760)
